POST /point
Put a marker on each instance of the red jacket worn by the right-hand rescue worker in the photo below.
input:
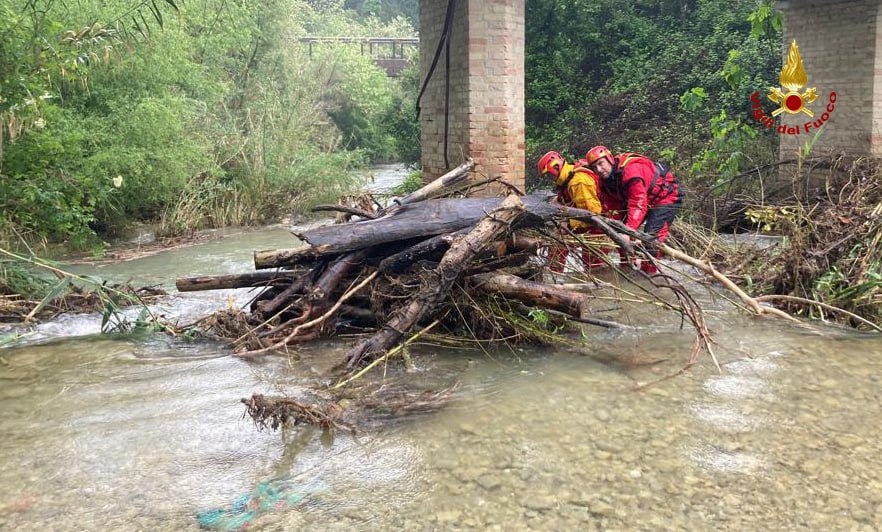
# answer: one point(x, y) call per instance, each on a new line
point(635, 185)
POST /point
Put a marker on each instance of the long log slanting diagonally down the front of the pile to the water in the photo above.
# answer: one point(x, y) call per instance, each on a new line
point(437, 283)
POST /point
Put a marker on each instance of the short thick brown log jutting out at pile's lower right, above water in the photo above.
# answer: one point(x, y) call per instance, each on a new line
point(530, 293)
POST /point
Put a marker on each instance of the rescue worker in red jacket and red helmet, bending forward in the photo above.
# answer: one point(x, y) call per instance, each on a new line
point(637, 190)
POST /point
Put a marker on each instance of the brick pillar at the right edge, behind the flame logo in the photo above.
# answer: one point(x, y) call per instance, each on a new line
point(839, 42)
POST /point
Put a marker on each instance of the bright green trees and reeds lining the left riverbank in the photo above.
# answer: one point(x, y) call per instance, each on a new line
point(192, 114)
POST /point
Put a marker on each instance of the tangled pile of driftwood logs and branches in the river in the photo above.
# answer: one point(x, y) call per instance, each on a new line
point(398, 269)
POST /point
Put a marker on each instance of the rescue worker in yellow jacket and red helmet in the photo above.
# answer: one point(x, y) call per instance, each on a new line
point(576, 186)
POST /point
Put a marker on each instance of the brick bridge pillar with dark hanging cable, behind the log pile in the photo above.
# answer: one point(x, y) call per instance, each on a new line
point(486, 109)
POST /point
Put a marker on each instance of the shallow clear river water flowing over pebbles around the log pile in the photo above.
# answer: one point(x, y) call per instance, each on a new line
point(104, 432)
